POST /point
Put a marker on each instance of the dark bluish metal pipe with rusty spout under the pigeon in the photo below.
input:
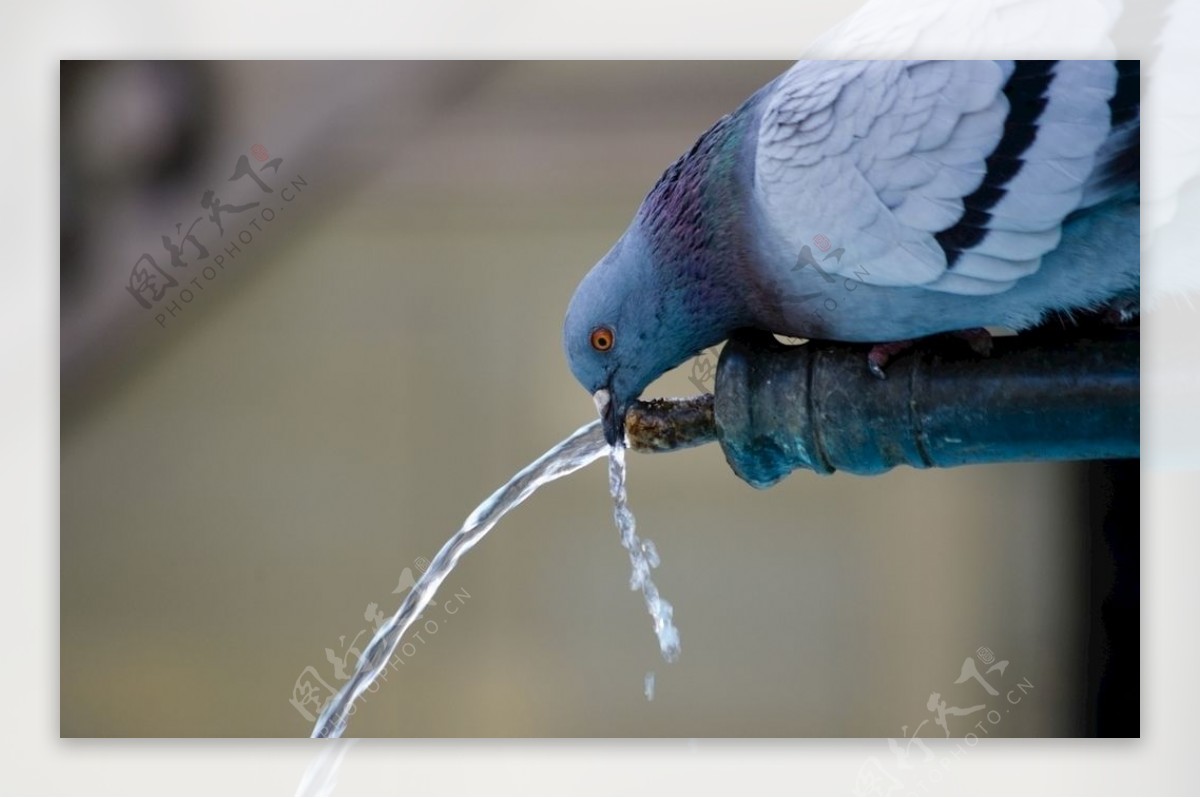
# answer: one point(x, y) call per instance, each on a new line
point(778, 409)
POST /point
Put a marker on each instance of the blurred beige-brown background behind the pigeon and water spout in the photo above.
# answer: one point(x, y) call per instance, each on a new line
point(263, 443)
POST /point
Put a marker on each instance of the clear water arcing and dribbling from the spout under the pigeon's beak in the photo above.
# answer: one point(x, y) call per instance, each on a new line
point(586, 446)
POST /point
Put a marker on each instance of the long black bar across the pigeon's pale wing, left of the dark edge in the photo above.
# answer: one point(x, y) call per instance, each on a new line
point(1027, 91)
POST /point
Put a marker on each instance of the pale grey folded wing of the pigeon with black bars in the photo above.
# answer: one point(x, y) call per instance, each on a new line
point(950, 176)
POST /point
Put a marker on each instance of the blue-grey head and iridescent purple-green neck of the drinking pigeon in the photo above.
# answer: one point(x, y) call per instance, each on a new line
point(670, 286)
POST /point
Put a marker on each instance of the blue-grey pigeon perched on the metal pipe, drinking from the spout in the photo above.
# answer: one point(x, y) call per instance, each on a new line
point(874, 202)
